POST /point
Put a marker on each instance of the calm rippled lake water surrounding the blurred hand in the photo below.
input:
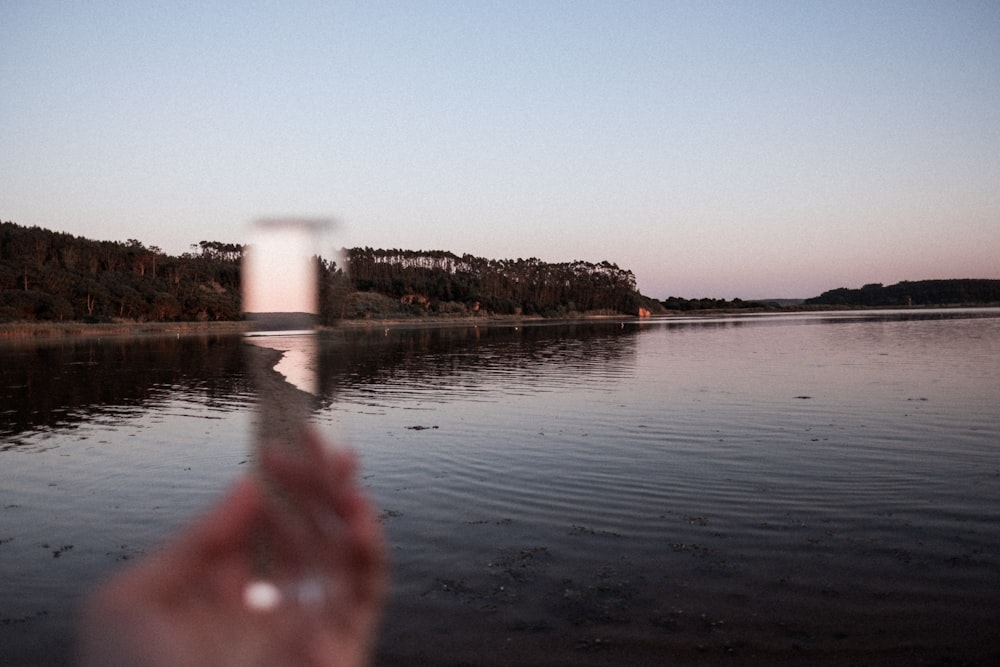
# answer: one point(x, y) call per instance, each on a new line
point(799, 489)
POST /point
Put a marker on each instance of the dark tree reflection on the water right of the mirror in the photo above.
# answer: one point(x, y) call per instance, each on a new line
point(467, 356)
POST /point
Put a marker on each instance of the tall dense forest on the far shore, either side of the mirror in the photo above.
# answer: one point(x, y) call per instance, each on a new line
point(46, 275)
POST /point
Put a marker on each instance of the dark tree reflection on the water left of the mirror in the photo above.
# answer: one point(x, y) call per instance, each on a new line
point(61, 383)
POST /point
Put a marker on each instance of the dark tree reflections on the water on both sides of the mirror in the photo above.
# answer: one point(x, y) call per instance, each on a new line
point(62, 383)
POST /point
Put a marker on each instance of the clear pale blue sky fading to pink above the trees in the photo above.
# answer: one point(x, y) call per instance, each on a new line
point(716, 149)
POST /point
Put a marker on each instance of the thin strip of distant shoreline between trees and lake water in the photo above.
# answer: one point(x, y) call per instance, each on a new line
point(36, 330)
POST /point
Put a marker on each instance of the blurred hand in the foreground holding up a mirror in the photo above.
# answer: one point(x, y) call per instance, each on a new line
point(297, 579)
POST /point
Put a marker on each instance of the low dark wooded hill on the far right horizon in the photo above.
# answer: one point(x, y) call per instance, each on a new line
point(916, 293)
